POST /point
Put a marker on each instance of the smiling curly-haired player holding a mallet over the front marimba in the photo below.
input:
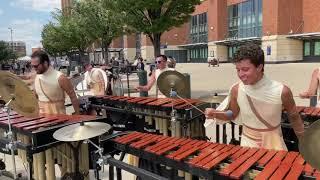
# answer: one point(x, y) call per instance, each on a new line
point(256, 103)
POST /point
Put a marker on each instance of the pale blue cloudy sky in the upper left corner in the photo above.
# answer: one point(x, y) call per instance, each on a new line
point(26, 18)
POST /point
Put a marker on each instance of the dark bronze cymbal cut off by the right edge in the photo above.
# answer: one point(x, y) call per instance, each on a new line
point(309, 145)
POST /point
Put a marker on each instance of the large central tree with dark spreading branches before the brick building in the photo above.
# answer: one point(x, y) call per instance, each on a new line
point(153, 17)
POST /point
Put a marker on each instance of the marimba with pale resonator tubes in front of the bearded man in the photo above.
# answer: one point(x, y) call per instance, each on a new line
point(36, 145)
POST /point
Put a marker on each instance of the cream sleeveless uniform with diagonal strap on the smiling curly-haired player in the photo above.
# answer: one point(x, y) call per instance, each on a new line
point(265, 97)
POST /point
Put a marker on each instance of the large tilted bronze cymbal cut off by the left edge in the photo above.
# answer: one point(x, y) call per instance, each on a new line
point(25, 102)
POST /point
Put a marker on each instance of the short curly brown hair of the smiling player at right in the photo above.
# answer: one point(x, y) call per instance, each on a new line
point(250, 51)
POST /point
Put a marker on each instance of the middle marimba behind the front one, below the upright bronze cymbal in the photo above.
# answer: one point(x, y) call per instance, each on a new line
point(157, 113)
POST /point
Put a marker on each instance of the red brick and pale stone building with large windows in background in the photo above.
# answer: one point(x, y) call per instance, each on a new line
point(286, 32)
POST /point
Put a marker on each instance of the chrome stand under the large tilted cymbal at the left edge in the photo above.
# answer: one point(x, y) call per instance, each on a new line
point(12, 144)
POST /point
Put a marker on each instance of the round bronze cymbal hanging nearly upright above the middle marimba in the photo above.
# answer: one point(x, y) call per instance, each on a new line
point(168, 80)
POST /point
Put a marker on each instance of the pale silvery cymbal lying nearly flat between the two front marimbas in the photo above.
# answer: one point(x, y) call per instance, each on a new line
point(79, 131)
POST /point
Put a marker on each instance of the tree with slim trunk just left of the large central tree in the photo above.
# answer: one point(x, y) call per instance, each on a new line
point(100, 22)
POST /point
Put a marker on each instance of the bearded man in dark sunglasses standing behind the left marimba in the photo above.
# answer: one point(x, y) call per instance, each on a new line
point(51, 85)
